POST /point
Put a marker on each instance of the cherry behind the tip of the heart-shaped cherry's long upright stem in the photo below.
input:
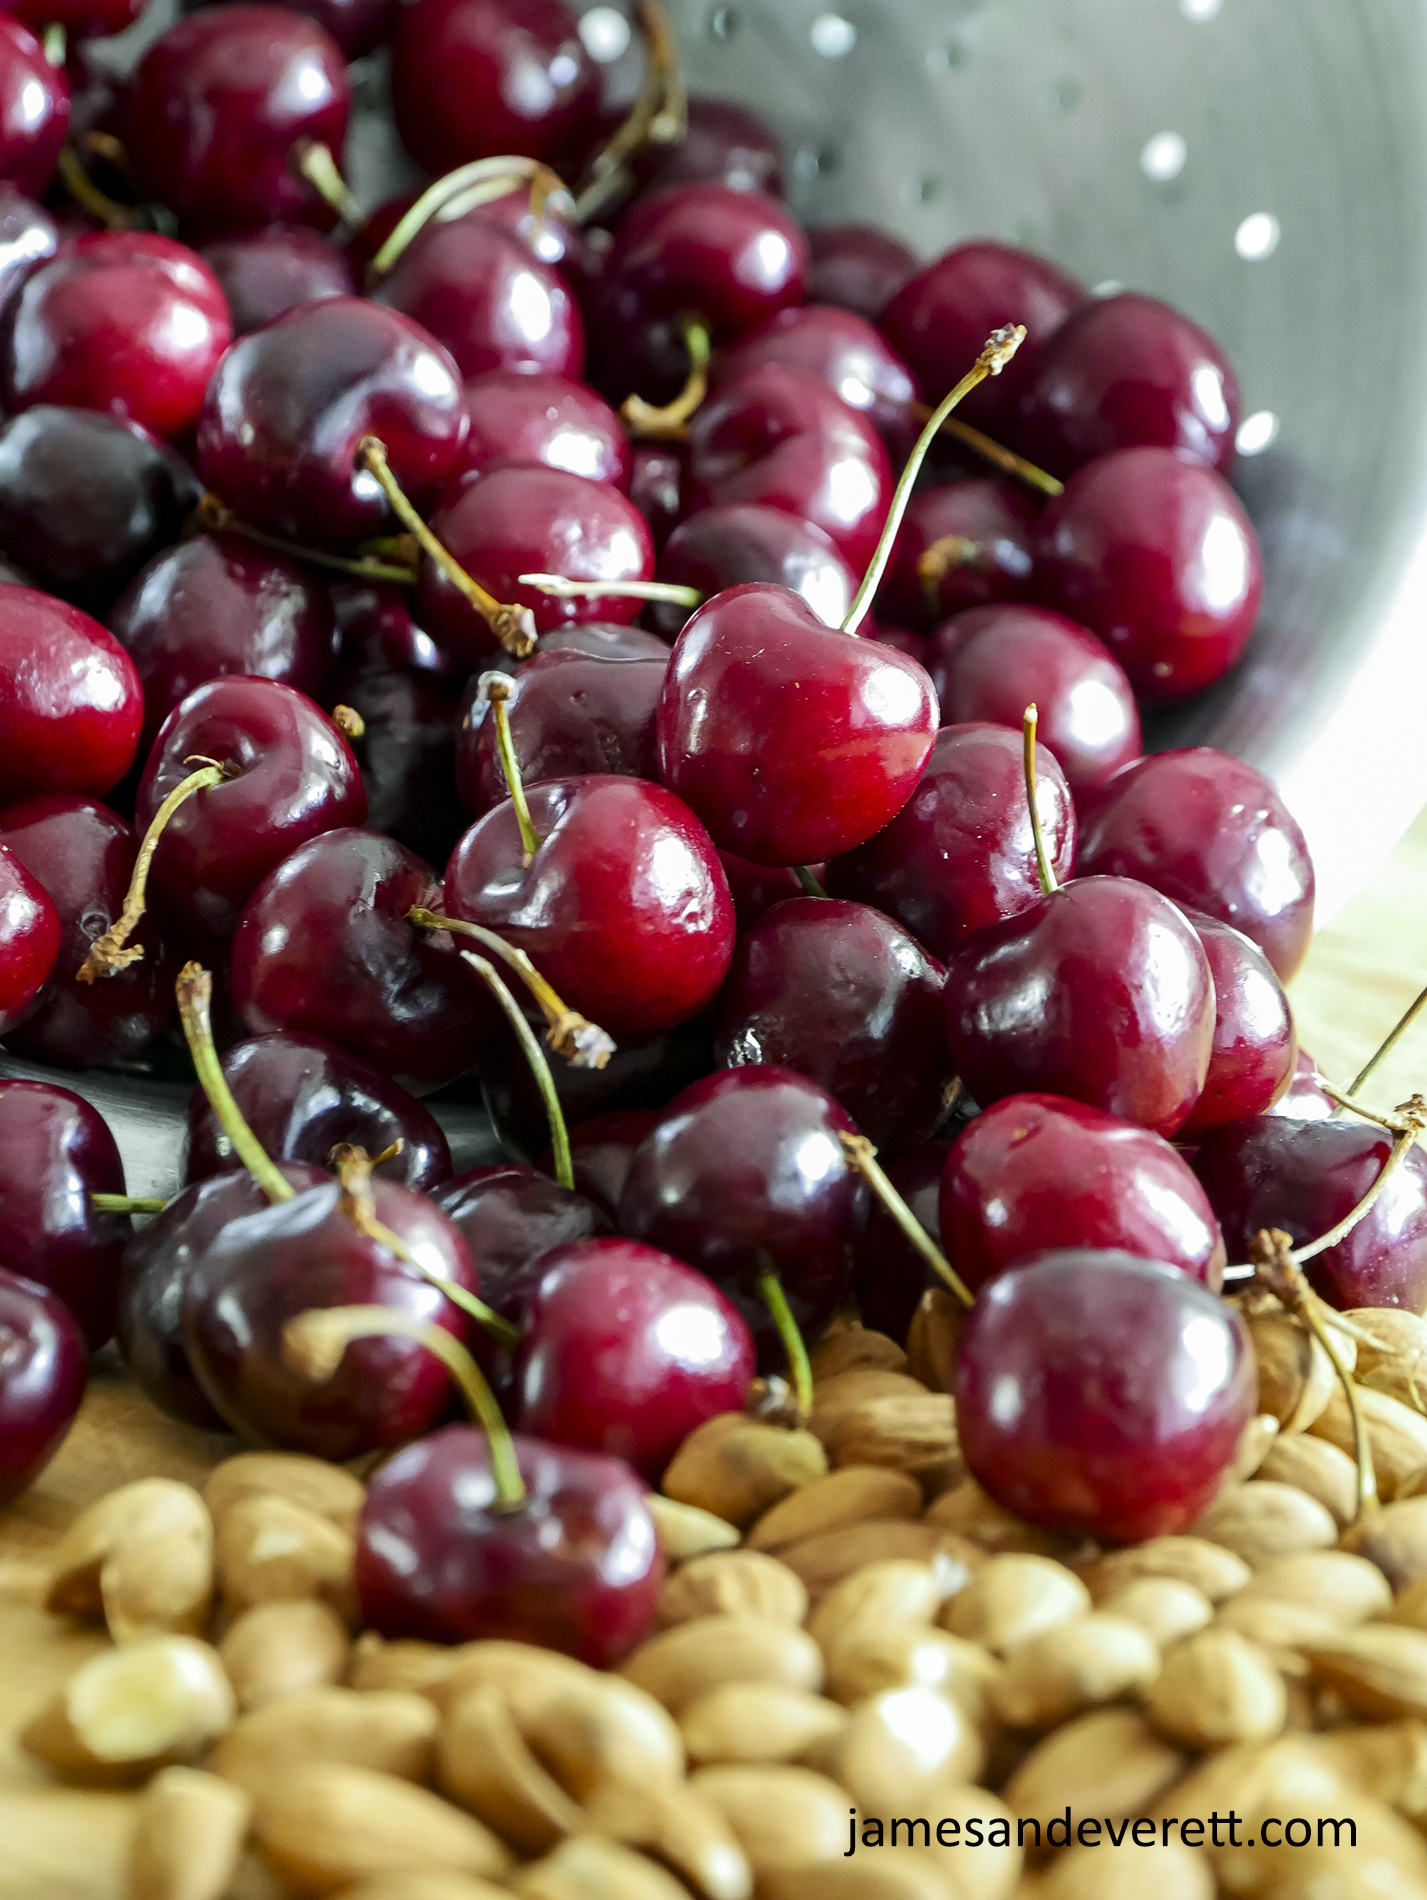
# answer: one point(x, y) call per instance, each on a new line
point(942, 318)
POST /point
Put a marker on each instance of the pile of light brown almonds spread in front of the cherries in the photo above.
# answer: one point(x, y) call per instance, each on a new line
point(848, 1624)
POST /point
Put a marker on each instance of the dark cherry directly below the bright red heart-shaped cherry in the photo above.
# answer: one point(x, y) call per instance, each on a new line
point(841, 995)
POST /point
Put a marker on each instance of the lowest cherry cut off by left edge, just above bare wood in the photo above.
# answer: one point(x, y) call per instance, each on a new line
point(41, 1380)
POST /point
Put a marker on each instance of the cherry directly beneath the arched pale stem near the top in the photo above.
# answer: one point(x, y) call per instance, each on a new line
point(482, 294)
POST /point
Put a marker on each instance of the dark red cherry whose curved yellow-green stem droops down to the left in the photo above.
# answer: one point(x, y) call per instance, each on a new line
point(295, 776)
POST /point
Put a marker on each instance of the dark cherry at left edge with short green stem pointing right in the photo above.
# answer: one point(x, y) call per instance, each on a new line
point(56, 1152)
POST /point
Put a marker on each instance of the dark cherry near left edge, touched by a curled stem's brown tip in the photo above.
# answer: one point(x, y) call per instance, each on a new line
point(83, 854)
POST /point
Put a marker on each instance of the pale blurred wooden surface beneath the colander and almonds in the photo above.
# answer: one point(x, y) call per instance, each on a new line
point(60, 1844)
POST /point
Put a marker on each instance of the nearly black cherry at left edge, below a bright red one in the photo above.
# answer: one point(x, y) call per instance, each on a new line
point(90, 501)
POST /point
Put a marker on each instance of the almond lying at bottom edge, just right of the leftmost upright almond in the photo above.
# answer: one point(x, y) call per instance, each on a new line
point(330, 1825)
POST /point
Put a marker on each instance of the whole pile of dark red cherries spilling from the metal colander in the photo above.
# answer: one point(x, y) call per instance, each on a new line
point(282, 694)
